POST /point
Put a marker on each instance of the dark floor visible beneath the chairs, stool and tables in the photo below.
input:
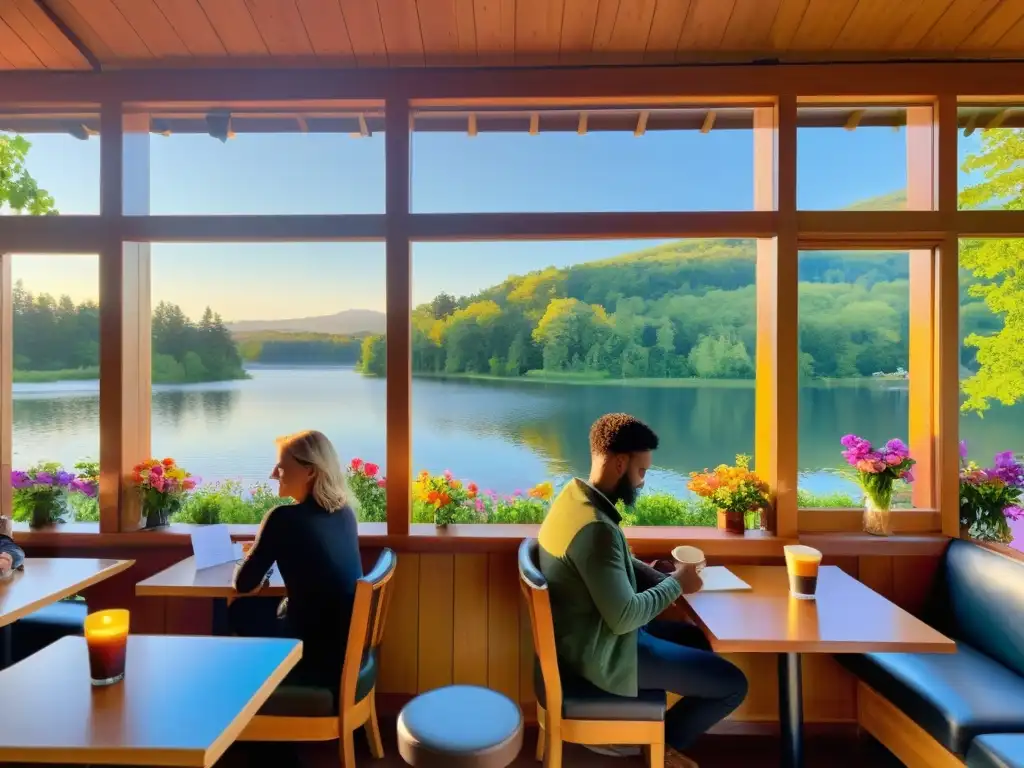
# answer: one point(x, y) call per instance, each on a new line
point(712, 752)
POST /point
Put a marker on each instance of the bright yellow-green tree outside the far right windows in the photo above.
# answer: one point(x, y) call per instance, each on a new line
point(999, 266)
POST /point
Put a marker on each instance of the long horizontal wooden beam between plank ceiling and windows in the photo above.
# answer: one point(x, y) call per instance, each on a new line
point(527, 88)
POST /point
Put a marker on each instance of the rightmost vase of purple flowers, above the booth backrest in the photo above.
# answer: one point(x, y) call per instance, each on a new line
point(992, 497)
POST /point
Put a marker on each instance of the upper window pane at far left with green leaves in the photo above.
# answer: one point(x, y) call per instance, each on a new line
point(52, 163)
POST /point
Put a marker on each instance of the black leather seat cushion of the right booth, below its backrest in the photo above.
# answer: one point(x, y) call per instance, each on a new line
point(954, 697)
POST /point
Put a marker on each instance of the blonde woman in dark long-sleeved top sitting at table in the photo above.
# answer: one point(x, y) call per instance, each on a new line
point(316, 545)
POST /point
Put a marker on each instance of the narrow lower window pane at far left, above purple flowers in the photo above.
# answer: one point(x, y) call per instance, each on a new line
point(57, 379)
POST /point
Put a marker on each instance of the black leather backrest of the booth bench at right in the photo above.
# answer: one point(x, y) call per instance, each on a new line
point(986, 600)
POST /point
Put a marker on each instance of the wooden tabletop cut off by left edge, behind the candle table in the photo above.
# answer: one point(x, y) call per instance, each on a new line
point(48, 580)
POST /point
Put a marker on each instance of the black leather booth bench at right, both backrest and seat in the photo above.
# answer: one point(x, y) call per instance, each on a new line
point(979, 690)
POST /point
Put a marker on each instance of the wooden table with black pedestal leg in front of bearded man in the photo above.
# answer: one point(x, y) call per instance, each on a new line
point(846, 618)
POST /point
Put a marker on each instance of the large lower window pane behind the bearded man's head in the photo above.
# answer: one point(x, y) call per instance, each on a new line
point(520, 348)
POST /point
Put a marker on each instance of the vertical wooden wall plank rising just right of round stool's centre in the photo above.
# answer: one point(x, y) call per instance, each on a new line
point(471, 642)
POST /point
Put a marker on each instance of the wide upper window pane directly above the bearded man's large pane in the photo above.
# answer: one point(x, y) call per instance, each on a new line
point(505, 168)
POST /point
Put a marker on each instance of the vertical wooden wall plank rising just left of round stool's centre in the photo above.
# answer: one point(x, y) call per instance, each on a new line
point(437, 621)
